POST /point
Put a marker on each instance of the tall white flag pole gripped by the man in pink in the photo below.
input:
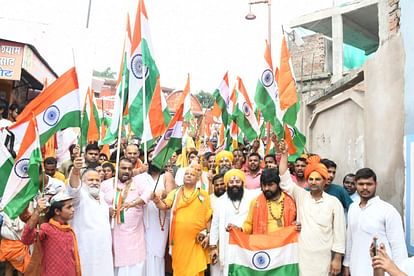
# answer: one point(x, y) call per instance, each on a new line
point(118, 151)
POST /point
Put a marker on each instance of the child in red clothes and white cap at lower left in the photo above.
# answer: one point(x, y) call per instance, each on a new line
point(58, 241)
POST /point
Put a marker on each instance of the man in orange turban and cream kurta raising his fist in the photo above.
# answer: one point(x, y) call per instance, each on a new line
point(322, 239)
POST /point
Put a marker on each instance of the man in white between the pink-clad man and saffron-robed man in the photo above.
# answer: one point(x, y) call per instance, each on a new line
point(156, 221)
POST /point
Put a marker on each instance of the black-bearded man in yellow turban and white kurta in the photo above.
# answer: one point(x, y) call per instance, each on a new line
point(230, 208)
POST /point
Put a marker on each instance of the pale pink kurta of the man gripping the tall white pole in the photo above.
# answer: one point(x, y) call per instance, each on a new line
point(128, 238)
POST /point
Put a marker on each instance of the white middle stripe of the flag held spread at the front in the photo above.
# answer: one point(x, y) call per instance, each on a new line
point(280, 256)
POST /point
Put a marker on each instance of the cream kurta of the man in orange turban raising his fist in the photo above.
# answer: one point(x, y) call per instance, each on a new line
point(323, 228)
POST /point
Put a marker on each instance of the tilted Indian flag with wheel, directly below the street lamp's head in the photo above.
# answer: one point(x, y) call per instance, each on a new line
point(244, 113)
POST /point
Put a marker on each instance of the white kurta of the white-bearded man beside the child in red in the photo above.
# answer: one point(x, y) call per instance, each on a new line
point(93, 232)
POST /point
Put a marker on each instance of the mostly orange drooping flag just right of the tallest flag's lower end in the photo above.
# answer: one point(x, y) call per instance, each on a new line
point(158, 116)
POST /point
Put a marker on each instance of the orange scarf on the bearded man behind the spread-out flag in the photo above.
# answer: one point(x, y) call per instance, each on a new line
point(260, 213)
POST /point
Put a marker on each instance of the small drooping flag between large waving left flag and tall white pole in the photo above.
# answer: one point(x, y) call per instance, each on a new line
point(91, 122)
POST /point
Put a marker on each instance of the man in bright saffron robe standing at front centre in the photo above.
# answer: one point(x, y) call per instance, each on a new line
point(190, 225)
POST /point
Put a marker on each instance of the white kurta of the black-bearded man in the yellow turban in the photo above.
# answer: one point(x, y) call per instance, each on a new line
point(224, 212)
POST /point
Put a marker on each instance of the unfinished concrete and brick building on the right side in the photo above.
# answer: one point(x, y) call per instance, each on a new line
point(354, 75)
